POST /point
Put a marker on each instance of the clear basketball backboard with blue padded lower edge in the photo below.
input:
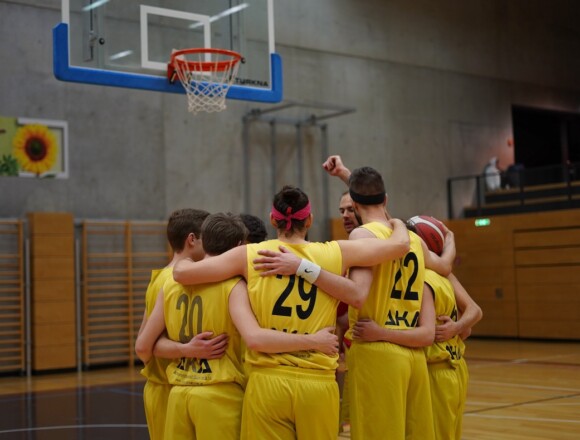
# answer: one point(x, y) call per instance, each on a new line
point(128, 43)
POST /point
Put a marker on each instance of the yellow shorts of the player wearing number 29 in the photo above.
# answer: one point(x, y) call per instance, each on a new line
point(286, 403)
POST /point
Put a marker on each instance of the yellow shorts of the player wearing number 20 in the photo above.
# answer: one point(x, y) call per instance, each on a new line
point(204, 412)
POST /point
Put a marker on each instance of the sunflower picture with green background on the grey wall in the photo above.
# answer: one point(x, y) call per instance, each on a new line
point(32, 148)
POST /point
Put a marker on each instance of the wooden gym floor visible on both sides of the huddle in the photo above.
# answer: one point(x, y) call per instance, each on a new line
point(518, 390)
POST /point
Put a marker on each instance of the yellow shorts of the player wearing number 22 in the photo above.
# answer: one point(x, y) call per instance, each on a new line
point(389, 392)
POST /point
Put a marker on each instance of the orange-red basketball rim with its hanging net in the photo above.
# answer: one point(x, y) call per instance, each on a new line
point(206, 76)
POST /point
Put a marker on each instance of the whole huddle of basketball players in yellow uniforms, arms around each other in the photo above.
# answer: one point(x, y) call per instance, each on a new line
point(240, 336)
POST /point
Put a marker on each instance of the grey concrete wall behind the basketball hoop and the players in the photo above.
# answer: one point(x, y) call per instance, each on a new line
point(432, 82)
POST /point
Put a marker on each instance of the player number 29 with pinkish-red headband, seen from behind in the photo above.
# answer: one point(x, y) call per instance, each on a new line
point(292, 394)
